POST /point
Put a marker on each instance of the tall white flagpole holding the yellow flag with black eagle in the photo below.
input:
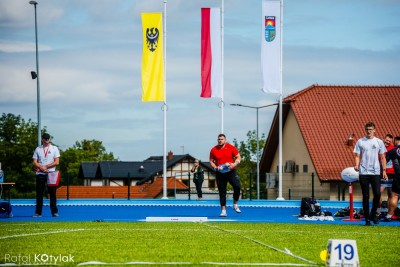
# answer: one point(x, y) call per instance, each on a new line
point(165, 104)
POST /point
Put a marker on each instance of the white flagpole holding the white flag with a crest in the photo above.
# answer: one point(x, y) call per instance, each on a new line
point(280, 197)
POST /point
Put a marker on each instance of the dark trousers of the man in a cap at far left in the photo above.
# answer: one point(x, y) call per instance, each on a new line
point(41, 181)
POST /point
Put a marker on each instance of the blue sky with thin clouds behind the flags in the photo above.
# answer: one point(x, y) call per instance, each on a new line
point(90, 56)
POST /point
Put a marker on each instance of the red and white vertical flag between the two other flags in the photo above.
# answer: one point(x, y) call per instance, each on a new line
point(211, 53)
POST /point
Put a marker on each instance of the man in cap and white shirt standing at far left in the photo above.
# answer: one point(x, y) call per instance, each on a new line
point(45, 159)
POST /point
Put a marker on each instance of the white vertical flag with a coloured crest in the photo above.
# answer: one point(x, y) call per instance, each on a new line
point(271, 46)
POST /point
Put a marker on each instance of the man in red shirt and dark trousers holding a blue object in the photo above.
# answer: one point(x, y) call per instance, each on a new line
point(224, 158)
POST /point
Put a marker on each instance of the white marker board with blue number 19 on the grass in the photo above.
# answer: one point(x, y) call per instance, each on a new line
point(342, 253)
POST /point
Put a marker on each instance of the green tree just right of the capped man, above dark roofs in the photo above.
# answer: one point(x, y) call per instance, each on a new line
point(85, 150)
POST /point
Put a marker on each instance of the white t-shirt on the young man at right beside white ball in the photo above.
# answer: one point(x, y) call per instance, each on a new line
point(369, 151)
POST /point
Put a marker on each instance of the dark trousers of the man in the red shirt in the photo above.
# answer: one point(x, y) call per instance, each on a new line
point(222, 181)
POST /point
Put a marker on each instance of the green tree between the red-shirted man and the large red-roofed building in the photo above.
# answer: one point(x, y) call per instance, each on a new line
point(247, 169)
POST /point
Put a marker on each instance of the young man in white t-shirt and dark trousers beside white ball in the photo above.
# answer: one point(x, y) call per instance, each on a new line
point(367, 152)
